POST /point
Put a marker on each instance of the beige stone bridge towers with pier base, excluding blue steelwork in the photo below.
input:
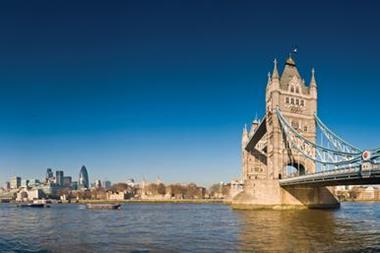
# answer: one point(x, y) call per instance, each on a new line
point(267, 157)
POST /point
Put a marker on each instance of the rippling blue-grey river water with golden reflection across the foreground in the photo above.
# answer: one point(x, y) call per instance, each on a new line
point(355, 227)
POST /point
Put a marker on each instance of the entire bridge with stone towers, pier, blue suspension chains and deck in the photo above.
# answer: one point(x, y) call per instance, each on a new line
point(290, 157)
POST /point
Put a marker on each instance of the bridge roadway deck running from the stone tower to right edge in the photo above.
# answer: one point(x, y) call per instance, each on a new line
point(341, 176)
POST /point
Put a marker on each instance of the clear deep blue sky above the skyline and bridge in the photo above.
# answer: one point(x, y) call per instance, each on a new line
point(163, 88)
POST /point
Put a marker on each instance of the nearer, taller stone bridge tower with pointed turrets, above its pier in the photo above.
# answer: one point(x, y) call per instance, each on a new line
point(298, 103)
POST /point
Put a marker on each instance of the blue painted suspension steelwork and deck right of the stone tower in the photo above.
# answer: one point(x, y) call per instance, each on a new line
point(342, 164)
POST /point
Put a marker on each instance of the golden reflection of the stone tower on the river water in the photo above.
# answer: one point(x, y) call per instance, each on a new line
point(306, 231)
